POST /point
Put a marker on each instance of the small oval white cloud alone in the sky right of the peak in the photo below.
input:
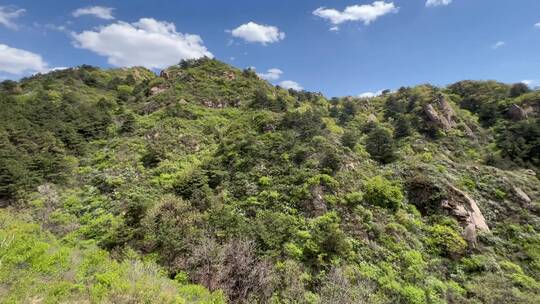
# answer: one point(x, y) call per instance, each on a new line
point(253, 32)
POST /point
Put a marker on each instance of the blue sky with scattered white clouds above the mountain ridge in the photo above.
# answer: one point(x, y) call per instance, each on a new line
point(336, 47)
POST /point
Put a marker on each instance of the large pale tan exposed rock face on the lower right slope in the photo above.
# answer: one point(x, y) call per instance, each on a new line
point(465, 209)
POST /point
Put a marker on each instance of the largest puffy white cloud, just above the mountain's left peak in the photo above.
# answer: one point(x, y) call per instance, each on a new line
point(148, 42)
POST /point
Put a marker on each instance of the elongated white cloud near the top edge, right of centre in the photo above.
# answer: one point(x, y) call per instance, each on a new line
point(366, 13)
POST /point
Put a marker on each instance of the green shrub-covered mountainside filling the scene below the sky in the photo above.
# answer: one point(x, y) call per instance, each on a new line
point(209, 185)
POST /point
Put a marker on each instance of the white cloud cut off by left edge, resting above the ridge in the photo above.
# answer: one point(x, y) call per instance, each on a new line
point(17, 61)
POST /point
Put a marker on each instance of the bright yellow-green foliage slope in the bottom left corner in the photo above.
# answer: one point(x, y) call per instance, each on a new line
point(35, 264)
